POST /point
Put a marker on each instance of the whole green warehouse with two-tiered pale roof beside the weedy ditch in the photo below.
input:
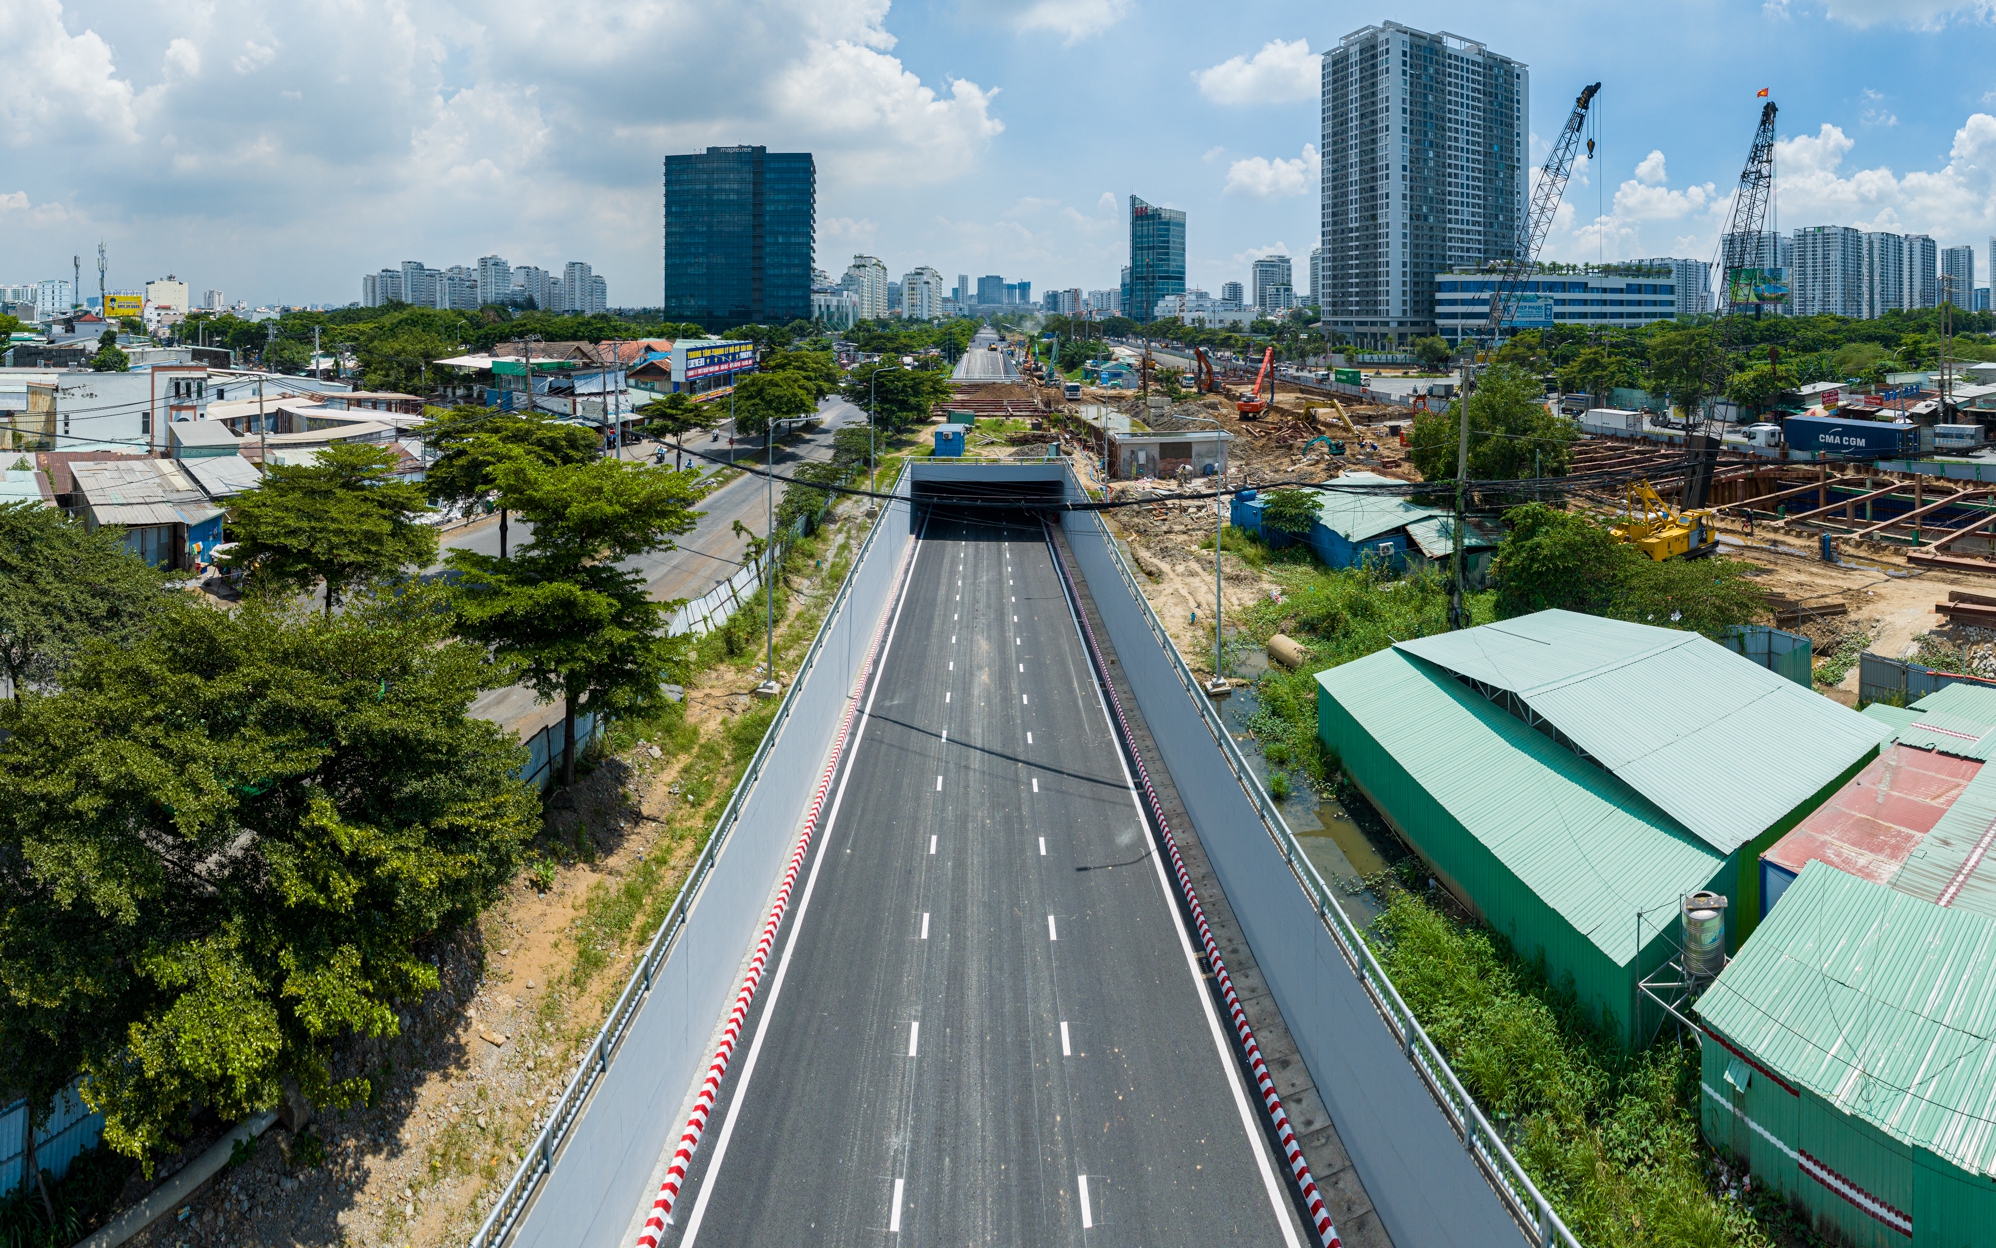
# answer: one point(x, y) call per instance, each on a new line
point(1572, 778)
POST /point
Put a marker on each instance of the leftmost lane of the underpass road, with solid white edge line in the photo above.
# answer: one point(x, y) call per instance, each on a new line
point(811, 1149)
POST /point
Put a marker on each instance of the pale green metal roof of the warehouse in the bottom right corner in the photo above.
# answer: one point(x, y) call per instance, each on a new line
point(1881, 1003)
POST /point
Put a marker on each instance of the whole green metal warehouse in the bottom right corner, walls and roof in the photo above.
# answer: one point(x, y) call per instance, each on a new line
point(1851, 1059)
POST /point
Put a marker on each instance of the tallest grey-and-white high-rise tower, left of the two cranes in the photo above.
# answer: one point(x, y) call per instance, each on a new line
point(1424, 169)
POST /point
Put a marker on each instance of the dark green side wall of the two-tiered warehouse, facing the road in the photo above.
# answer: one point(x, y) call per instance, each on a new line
point(1472, 872)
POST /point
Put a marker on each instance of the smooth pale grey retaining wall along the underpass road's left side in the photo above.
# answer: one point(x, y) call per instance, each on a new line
point(602, 1175)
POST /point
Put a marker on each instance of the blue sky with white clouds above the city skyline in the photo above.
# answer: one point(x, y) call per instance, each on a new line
point(280, 151)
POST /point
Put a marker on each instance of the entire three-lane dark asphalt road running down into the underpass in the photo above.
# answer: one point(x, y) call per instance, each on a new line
point(989, 1025)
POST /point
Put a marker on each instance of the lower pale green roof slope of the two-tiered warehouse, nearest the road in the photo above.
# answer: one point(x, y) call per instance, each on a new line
point(1590, 846)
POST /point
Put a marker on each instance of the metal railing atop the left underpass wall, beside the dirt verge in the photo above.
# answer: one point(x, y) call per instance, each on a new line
point(596, 1063)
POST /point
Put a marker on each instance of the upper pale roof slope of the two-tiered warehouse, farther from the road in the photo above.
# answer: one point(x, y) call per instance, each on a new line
point(1718, 742)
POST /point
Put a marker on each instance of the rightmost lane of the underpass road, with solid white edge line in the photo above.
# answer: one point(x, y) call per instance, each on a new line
point(1171, 1145)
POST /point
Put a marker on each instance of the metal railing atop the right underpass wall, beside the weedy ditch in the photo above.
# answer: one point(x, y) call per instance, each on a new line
point(1528, 1205)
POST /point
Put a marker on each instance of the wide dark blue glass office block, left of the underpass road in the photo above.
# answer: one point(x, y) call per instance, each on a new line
point(740, 231)
